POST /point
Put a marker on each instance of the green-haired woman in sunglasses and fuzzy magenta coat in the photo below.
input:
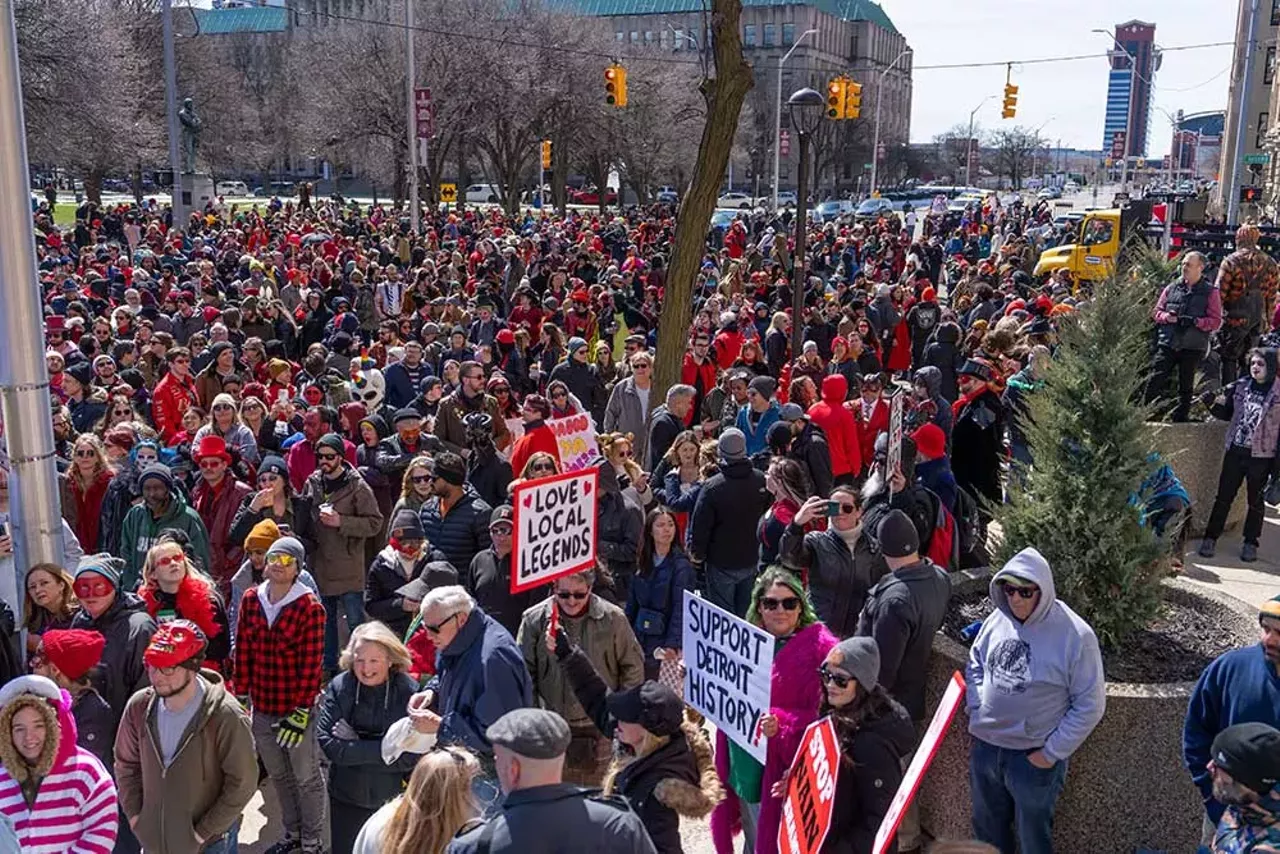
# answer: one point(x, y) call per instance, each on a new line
point(781, 606)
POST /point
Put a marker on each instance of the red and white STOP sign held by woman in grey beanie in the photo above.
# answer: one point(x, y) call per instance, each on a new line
point(811, 797)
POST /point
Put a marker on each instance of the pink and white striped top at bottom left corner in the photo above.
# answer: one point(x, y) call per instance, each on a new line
point(75, 811)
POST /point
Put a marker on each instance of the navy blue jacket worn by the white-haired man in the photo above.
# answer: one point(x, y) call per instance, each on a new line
point(479, 678)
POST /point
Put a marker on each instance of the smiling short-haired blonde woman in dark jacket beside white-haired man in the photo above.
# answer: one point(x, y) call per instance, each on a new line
point(356, 711)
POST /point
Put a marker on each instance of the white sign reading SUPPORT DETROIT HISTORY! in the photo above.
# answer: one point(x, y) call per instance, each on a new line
point(729, 665)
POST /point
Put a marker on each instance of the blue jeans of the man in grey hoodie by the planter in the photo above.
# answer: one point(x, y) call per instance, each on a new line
point(1013, 801)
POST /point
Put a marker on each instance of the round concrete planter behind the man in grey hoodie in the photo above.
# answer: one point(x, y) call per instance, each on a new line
point(1126, 789)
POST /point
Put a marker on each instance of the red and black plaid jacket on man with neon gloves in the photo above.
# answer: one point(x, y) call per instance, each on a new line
point(280, 666)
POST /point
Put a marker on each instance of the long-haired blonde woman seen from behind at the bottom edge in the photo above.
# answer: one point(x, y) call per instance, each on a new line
point(437, 805)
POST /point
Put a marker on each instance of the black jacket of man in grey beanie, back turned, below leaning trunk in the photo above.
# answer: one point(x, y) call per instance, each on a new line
point(729, 506)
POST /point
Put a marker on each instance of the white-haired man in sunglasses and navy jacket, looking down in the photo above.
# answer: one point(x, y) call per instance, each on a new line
point(481, 678)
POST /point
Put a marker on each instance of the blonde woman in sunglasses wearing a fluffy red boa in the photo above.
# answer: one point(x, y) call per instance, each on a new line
point(173, 588)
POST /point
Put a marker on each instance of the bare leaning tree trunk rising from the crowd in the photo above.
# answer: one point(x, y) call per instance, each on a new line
point(725, 95)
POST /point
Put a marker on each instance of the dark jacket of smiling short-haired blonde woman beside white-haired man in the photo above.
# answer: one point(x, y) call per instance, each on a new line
point(359, 775)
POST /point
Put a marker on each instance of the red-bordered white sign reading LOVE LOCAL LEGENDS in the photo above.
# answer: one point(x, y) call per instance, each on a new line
point(555, 528)
